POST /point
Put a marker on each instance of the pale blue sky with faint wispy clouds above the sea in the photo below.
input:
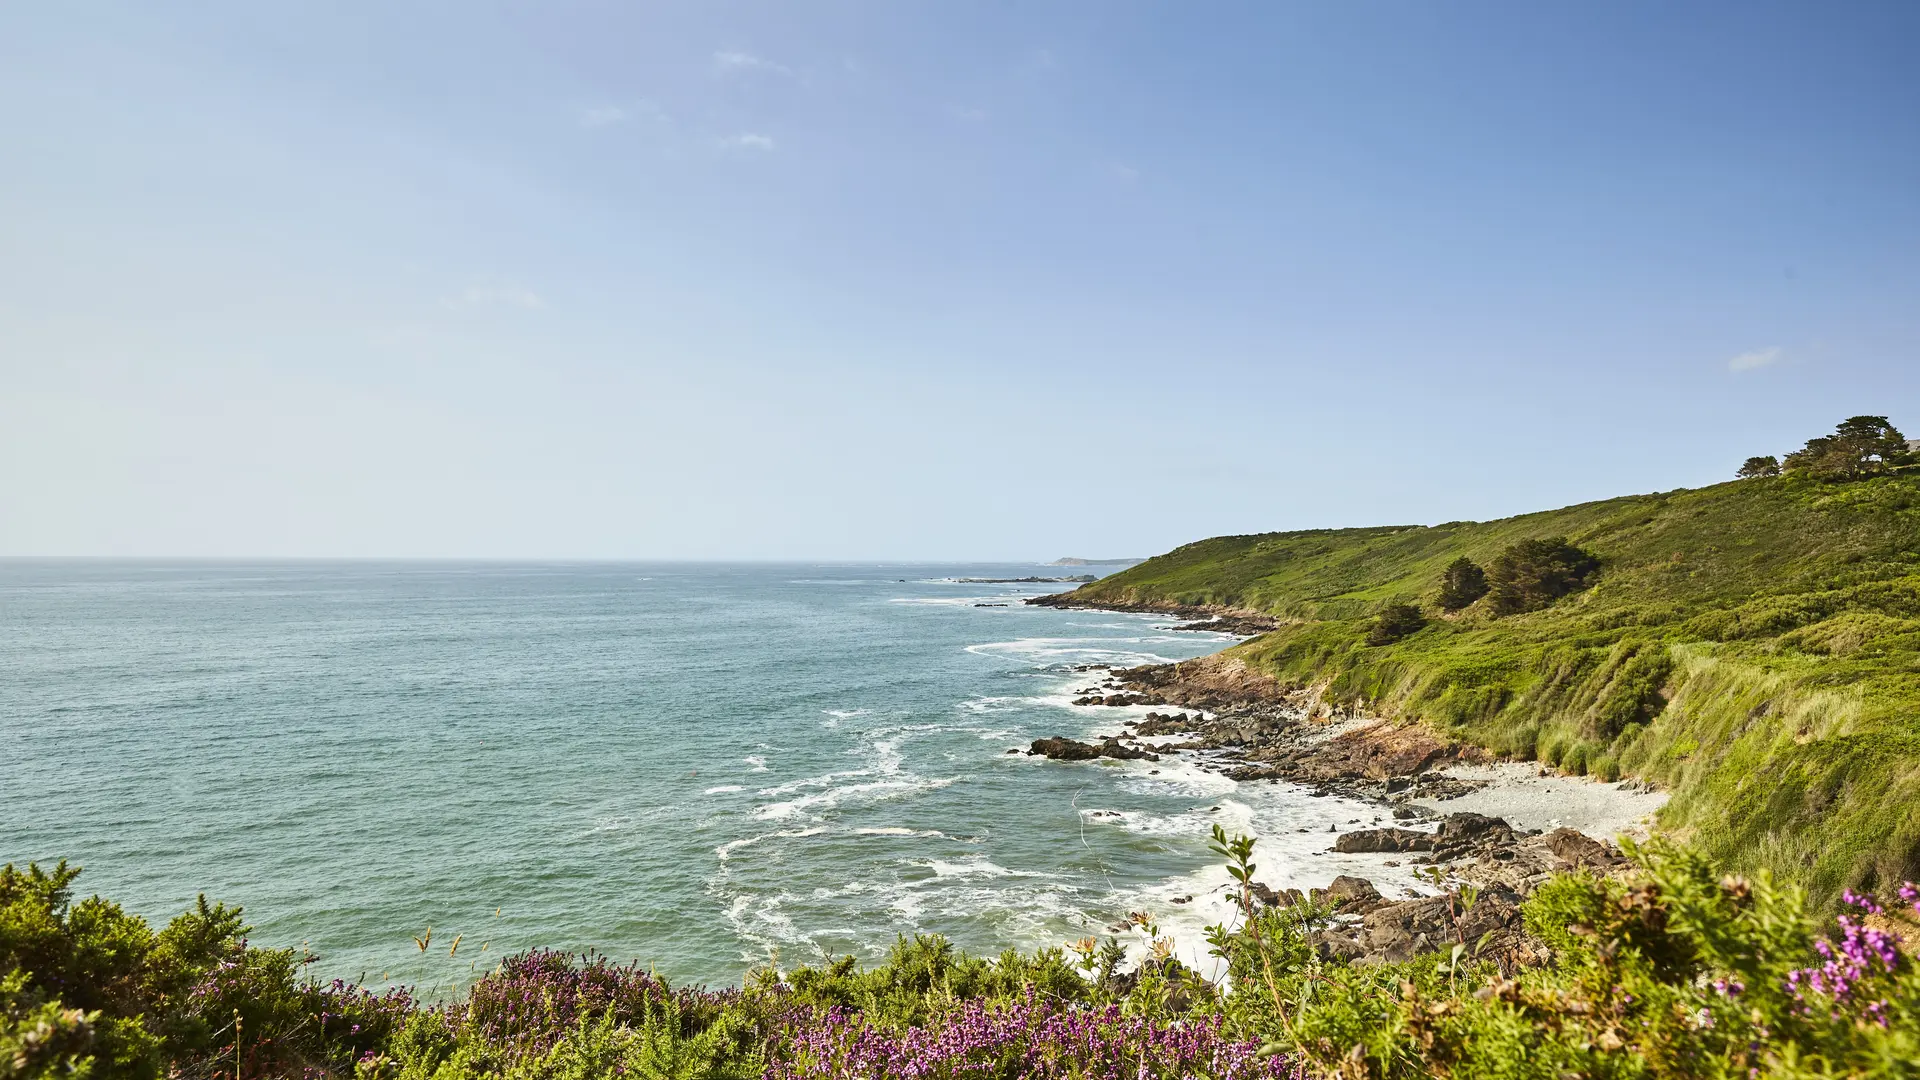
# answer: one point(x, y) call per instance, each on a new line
point(926, 282)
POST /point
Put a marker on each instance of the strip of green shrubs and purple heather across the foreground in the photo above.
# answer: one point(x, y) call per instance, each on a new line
point(1673, 971)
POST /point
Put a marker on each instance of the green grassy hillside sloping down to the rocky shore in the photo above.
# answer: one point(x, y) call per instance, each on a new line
point(1754, 645)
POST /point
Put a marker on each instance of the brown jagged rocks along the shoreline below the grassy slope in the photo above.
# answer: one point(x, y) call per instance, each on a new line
point(1253, 729)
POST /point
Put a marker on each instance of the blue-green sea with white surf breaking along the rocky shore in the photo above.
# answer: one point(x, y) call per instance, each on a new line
point(414, 770)
